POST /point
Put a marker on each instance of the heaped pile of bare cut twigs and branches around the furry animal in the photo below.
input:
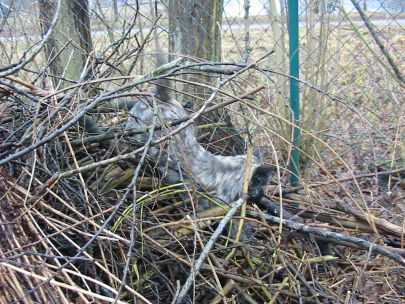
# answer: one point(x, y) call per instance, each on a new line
point(84, 218)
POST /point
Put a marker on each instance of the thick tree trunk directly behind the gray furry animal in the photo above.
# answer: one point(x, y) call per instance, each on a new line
point(195, 30)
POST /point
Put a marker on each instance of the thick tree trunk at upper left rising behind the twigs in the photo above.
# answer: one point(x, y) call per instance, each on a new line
point(70, 44)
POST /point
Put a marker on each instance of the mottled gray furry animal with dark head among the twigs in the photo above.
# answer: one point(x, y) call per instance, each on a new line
point(183, 156)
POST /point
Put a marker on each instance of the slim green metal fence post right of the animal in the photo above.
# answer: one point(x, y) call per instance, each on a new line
point(293, 32)
